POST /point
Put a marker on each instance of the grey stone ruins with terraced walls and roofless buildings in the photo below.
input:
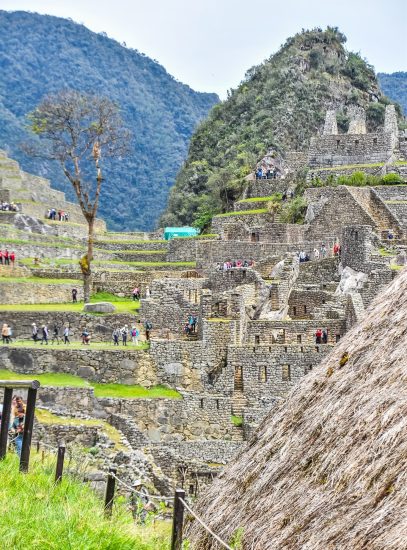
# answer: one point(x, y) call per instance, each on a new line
point(256, 333)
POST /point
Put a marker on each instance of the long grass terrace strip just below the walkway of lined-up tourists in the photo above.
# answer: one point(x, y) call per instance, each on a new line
point(123, 391)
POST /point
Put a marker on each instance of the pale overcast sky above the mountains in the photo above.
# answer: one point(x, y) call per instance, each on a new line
point(209, 44)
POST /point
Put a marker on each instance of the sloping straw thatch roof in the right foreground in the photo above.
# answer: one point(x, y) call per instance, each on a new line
point(328, 467)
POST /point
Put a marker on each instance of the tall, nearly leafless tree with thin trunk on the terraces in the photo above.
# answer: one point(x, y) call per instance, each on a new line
point(80, 130)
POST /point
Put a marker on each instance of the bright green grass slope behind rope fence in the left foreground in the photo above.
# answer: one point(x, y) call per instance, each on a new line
point(46, 516)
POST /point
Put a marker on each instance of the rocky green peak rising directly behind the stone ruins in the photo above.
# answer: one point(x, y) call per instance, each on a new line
point(280, 103)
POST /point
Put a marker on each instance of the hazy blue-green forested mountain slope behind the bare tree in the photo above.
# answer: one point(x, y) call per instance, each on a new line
point(41, 54)
